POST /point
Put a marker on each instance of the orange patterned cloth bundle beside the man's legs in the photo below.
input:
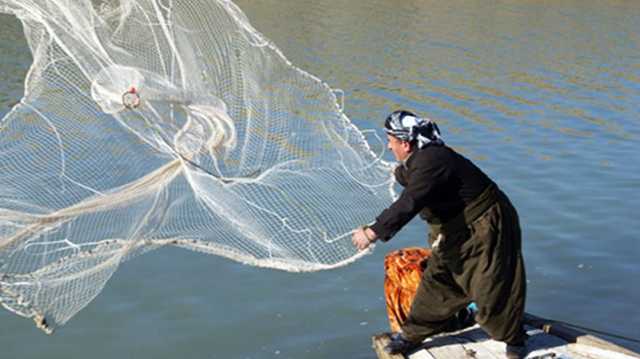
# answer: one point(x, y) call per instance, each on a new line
point(402, 272)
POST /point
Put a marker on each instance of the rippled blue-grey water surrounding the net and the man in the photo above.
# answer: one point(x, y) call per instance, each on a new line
point(542, 95)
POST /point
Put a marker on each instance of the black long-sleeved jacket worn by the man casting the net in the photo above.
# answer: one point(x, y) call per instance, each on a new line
point(439, 183)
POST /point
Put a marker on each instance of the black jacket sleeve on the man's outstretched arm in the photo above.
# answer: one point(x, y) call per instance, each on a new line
point(423, 179)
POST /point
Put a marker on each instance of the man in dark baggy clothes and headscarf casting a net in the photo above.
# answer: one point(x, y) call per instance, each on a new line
point(474, 236)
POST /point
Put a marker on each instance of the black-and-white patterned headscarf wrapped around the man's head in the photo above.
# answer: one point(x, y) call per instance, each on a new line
point(406, 126)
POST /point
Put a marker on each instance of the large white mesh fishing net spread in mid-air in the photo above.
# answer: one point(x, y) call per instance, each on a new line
point(147, 123)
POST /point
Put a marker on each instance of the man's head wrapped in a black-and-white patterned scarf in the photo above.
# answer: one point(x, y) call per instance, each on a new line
point(407, 132)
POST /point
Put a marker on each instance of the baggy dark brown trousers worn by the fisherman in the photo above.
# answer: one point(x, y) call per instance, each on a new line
point(482, 263)
